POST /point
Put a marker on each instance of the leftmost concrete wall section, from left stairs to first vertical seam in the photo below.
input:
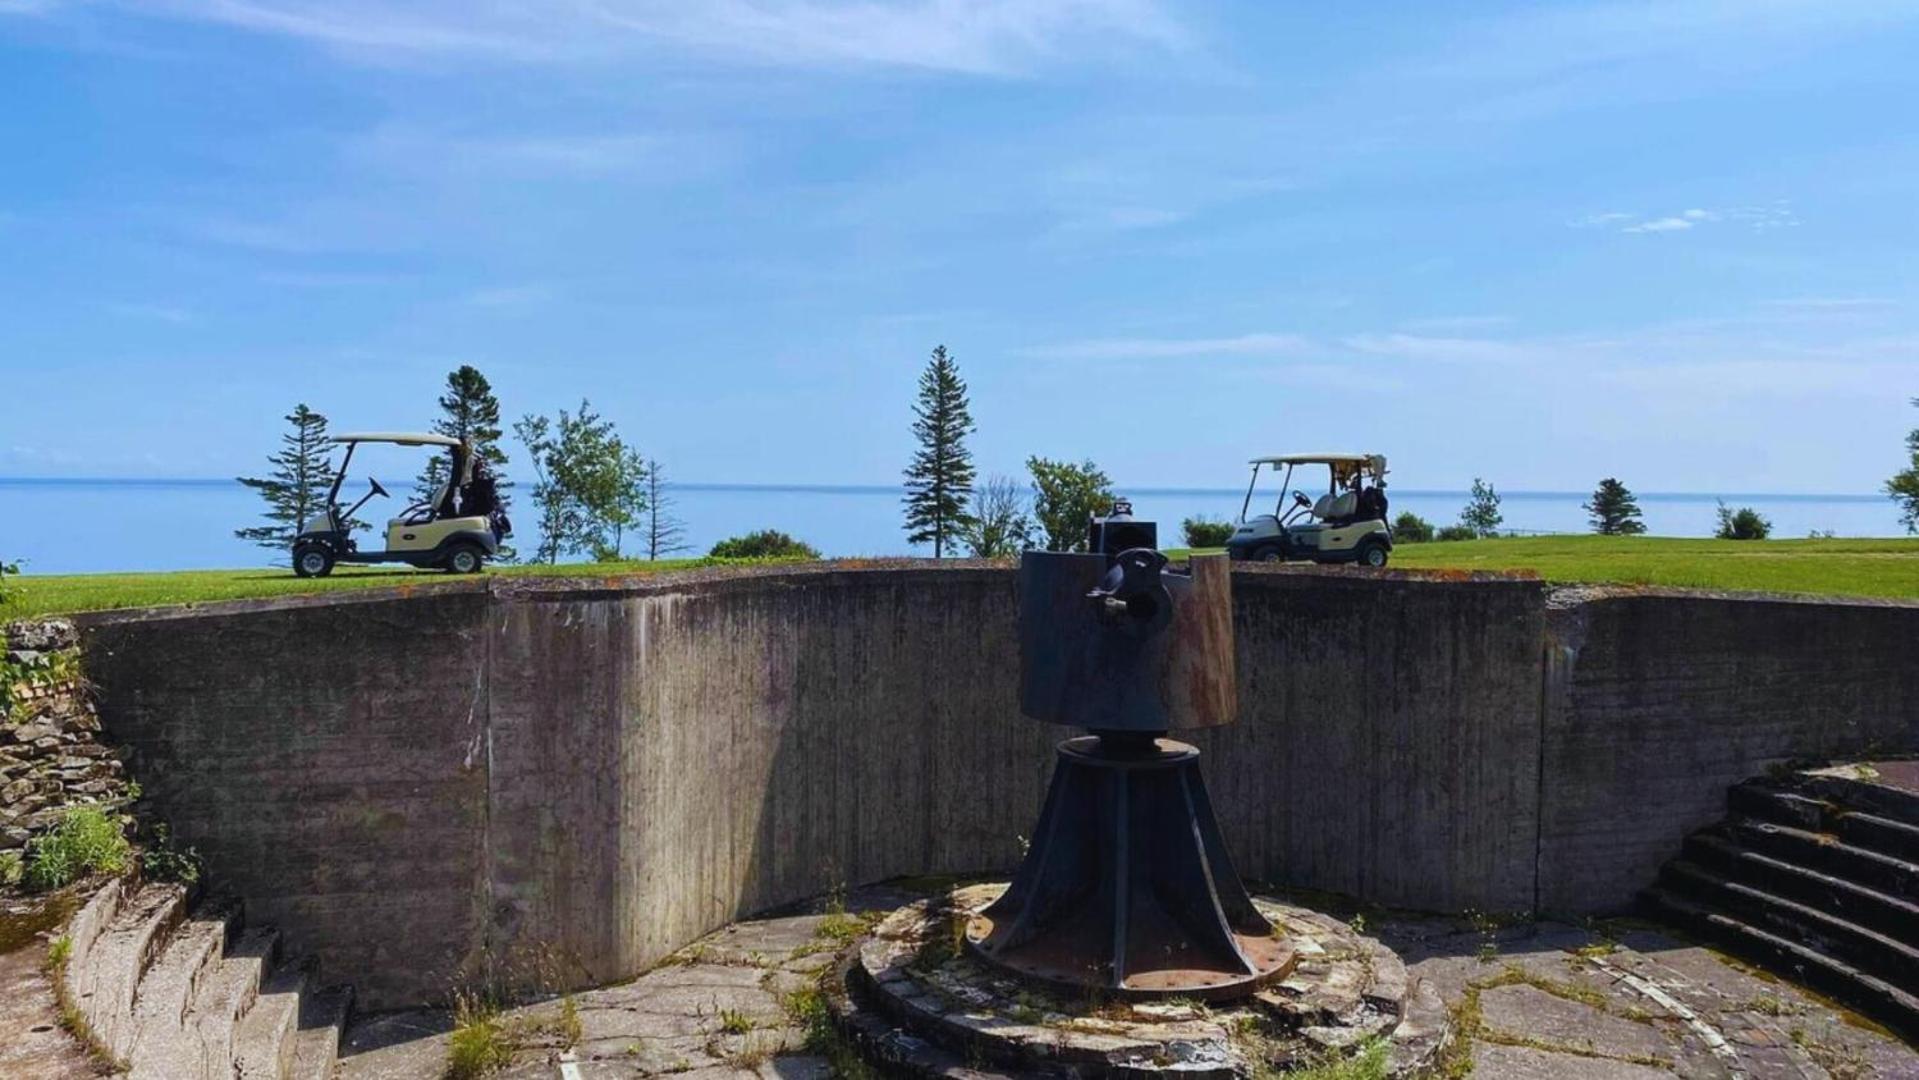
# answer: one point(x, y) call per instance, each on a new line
point(329, 763)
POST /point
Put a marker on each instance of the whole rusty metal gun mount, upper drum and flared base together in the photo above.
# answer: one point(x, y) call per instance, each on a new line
point(1127, 889)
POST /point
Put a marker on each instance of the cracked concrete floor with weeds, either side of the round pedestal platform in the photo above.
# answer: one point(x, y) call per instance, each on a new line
point(1538, 1002)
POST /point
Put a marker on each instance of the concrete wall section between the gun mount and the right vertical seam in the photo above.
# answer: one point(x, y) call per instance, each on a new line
point(1388, 740)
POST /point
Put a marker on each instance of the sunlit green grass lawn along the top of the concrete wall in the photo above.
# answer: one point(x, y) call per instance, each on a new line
point(1836, 567)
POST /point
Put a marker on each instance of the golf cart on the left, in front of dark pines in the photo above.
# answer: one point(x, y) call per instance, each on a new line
point(460, 528)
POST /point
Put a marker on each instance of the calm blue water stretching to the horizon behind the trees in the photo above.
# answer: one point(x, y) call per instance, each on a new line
point(89, 527)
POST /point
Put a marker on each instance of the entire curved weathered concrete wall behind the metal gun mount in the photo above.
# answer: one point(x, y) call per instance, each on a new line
point(406, 784)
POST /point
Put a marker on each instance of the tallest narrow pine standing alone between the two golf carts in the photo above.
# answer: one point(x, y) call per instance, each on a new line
point(939, 482)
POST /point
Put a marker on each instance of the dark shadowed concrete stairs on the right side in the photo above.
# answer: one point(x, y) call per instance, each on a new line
point(1816, 876)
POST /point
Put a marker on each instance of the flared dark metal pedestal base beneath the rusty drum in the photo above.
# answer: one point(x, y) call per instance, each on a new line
point(1127, 889)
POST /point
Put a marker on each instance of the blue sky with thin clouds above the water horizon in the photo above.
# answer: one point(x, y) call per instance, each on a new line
point(1542, 245)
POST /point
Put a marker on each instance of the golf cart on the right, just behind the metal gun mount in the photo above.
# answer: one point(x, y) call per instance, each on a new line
point(1346, 525)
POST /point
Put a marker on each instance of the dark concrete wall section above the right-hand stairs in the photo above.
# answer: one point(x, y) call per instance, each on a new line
point(1659, 703)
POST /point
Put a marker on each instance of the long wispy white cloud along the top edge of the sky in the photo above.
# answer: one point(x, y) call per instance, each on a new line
point(937, 35)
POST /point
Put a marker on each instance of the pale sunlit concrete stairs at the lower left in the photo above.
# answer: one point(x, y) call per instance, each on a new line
point(179, 993)
